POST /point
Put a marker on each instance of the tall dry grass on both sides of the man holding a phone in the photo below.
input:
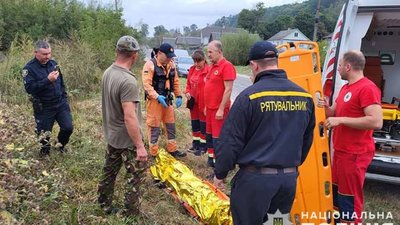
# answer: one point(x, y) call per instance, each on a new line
point(79, 64)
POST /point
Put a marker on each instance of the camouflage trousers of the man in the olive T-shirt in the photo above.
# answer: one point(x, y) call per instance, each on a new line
point(134, 178)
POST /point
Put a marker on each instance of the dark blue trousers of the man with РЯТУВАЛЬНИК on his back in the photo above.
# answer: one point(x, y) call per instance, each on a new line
point(254, 195)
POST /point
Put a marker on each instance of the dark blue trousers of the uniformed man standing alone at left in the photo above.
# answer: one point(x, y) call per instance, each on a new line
point(48, 115)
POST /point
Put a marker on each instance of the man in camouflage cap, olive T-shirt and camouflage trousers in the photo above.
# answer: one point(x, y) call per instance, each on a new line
point(121, 116)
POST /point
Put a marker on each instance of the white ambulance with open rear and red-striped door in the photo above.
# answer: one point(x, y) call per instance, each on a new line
point(373, 27)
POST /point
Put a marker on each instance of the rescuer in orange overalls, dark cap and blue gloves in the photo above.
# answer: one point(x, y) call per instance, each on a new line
point(161, 85)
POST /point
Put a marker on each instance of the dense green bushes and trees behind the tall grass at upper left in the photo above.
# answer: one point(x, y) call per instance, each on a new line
point(96, 26)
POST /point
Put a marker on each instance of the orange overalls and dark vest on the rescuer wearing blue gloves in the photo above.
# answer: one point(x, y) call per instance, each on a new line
point(160, 80)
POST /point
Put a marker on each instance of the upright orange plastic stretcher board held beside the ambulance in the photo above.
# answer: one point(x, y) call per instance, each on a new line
point(314, 201)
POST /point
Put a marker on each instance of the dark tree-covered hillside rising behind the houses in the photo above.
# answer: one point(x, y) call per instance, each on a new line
point(267, 21)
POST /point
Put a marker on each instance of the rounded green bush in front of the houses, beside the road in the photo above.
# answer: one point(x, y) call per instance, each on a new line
point(237, 46)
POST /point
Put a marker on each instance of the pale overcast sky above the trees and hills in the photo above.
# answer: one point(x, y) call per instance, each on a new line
point(178, 13)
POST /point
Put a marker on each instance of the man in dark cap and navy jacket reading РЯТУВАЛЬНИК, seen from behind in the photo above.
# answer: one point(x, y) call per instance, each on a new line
point(268, 133)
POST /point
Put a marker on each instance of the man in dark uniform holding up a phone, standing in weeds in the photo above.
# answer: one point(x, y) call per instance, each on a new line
point(45, 84)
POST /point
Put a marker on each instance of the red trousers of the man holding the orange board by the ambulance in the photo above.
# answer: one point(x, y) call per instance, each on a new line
point(348, 175)
